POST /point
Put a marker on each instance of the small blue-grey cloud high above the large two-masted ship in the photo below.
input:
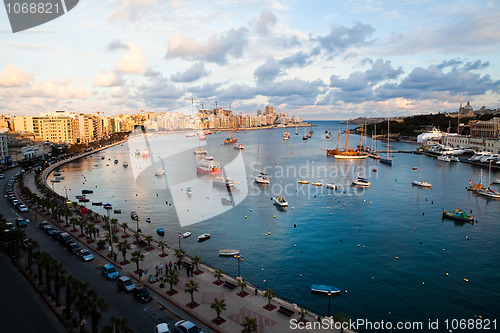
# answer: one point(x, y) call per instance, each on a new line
point(341, 38)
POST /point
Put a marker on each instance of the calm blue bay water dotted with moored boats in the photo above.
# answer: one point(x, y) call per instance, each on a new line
point(348, 238)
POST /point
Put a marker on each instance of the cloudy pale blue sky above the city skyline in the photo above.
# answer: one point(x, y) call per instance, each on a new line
point(319, 59)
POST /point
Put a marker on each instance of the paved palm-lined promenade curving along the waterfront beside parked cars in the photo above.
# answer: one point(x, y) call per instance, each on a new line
point(251, 303)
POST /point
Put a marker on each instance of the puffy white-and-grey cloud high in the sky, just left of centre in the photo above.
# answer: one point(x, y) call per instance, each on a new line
point(216, 49)
